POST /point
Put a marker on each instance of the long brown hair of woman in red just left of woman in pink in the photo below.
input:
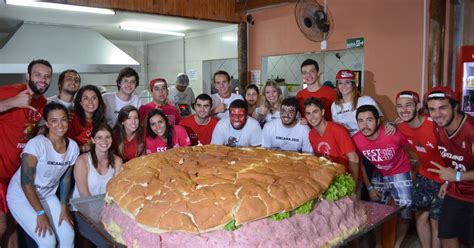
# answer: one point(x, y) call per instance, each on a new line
point(120, 135)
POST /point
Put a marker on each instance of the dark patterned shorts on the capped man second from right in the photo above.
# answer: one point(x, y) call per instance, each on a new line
point(425, 196)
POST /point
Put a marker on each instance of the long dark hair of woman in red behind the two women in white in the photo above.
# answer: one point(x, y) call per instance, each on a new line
point(99, 114)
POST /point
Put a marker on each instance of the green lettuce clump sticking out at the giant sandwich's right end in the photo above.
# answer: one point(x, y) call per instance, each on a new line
point(343, 185)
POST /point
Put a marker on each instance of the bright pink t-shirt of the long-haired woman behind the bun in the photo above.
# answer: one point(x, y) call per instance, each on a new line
point(180, 139)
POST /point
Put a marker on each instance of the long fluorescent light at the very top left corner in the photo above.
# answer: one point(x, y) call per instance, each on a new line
point(67, 7)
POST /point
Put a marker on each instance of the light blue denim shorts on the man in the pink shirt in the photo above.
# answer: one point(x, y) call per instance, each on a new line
point(398, 187)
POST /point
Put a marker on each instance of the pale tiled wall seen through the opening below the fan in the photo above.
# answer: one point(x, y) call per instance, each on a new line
point(330, 62)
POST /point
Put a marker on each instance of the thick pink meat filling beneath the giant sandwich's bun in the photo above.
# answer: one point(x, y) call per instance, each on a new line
point(327, 221)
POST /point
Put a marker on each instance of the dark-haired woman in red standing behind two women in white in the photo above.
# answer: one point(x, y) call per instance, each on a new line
point(89, 110)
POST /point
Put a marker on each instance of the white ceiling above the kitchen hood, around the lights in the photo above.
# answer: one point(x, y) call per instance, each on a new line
point(106, 25)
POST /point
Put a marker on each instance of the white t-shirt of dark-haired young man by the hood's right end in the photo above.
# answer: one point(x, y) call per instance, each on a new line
point(114, 104)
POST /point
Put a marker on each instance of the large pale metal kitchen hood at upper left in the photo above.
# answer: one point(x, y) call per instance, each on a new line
point(77, 48)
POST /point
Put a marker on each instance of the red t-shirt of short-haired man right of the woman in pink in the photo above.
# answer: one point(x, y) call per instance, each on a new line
point(199, 134)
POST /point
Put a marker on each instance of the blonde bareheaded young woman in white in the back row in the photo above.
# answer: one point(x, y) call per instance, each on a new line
point(270, 109)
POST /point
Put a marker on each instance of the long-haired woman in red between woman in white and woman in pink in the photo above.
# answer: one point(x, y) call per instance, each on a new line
point(129, 135)
